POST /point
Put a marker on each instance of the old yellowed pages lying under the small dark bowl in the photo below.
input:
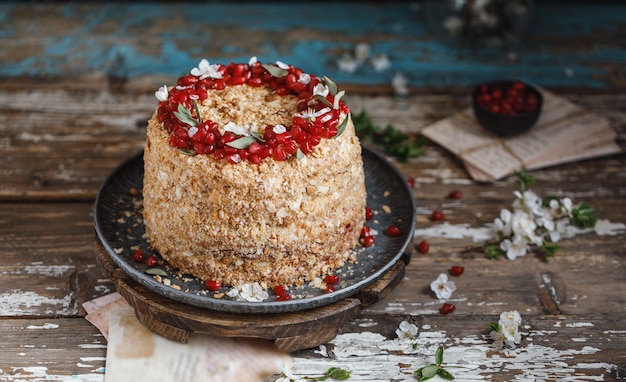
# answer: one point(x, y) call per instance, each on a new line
point(565, 132)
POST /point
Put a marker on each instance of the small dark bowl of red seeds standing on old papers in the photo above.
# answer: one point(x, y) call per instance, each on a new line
point(506, 108)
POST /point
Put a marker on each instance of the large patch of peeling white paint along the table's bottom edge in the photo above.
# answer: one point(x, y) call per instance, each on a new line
point(371, 357)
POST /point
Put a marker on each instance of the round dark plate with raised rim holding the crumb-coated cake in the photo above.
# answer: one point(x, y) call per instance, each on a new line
point(119, 226)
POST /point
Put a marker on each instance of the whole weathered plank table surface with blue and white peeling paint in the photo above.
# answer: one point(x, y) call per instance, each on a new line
point(76, 89)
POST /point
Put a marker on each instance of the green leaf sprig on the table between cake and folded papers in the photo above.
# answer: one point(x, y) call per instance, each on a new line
point(392, 140)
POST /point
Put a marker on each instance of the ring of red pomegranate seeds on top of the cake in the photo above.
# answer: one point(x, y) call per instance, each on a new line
point(304, 133)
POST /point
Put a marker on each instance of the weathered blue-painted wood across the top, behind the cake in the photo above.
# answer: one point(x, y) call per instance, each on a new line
point(580, 44)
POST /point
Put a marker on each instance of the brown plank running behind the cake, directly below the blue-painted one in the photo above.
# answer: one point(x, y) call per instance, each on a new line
point(51, 154)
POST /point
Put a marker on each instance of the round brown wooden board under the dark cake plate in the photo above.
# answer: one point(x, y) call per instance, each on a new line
point(290, 331)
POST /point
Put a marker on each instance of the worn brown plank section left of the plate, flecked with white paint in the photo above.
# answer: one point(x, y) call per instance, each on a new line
point(48, 264)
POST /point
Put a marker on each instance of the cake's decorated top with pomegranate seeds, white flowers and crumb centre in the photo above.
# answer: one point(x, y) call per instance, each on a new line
point(311, 106)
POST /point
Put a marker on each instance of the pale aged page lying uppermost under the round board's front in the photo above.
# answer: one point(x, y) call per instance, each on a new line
point(134, 353)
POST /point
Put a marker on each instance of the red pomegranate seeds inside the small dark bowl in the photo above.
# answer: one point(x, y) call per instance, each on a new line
point(513, 99)
